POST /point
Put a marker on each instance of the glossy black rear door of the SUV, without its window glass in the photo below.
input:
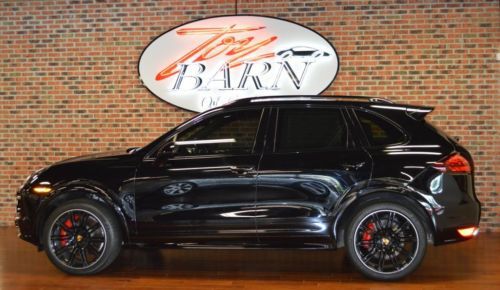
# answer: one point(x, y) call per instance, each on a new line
point(297, 191)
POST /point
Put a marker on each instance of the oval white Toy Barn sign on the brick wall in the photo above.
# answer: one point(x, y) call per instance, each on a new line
point(209, 62)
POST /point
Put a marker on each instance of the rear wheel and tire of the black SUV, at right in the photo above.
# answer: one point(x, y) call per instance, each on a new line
point(385, 241)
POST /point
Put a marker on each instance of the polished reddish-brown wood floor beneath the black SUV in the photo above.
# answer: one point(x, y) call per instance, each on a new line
point(473, 264)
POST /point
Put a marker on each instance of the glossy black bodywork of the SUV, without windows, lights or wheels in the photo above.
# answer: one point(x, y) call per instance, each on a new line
point(265, 198)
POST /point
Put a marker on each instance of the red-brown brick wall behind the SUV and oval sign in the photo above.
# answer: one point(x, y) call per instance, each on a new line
point(69, 84)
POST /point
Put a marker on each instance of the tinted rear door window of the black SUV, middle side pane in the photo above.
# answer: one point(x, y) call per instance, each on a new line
point(310, 129)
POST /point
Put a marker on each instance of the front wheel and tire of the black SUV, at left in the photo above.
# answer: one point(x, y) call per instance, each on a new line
point(82, 237)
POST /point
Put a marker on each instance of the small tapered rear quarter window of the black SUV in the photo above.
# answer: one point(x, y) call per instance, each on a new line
point(379, 131)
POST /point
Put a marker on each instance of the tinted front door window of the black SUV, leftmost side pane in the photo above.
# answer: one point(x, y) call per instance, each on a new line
point(228, 133)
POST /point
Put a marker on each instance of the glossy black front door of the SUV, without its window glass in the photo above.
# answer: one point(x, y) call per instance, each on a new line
point(217, 200)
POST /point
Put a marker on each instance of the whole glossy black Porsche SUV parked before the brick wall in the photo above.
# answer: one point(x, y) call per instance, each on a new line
point(268, 172)
